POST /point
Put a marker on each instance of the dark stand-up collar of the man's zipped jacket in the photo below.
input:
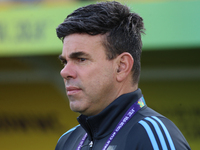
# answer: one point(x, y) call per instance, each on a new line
point(103, 124)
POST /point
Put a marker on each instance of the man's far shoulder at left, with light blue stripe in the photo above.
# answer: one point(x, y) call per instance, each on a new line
point(72, 133)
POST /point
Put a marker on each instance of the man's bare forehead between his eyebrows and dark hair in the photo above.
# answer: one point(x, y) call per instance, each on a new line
point(83, 43)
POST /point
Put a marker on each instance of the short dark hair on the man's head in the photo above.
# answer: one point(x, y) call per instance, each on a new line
point(122, 29)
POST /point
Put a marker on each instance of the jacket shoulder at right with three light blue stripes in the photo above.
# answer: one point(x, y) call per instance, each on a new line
point(157, 132)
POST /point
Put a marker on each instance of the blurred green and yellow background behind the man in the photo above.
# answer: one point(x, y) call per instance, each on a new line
point(34, 110)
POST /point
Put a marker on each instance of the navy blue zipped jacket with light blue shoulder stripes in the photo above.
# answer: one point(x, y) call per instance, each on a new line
point(146, 130)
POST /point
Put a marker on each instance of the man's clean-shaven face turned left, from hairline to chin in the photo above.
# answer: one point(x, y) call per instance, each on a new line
point(88, 75)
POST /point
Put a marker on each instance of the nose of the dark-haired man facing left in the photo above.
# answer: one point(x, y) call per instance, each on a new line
point(68, 71)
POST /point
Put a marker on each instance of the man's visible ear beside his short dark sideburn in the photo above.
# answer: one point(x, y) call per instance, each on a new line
point(124, 63)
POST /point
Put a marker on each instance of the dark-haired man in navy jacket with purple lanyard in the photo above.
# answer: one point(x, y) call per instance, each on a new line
point(101, 56)
